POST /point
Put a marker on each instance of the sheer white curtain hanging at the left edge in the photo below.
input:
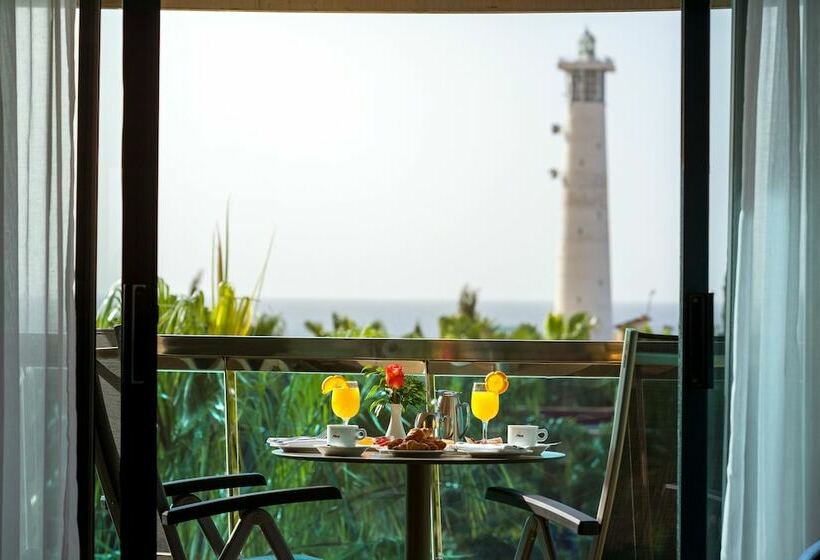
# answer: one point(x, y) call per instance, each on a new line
point(37, 453)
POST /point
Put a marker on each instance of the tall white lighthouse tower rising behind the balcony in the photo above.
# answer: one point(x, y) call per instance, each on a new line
point(583, 254)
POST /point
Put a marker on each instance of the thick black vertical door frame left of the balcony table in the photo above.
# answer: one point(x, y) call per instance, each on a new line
point(140, 155)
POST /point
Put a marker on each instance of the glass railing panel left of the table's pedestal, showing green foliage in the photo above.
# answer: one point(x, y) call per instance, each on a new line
point(369, 521)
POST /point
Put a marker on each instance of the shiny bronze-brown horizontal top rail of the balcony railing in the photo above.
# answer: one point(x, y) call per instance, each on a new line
point(432, 357)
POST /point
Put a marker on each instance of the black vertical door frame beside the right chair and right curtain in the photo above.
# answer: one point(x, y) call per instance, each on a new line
point(696, 321)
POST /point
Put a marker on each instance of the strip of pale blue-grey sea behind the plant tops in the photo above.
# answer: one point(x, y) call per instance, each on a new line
point(400, 316)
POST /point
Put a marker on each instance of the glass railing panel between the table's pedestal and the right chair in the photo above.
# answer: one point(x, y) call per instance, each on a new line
point(578, 413)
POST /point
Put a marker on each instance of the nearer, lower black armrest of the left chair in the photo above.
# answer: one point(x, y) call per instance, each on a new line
point(244, 502)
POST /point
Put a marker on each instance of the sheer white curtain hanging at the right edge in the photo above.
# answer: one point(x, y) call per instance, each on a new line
point(772, 504)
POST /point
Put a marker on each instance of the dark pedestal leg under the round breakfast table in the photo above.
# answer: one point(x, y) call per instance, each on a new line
point(418, 521)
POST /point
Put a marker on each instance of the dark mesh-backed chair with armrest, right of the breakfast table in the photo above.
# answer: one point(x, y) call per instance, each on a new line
point(635, 518)
